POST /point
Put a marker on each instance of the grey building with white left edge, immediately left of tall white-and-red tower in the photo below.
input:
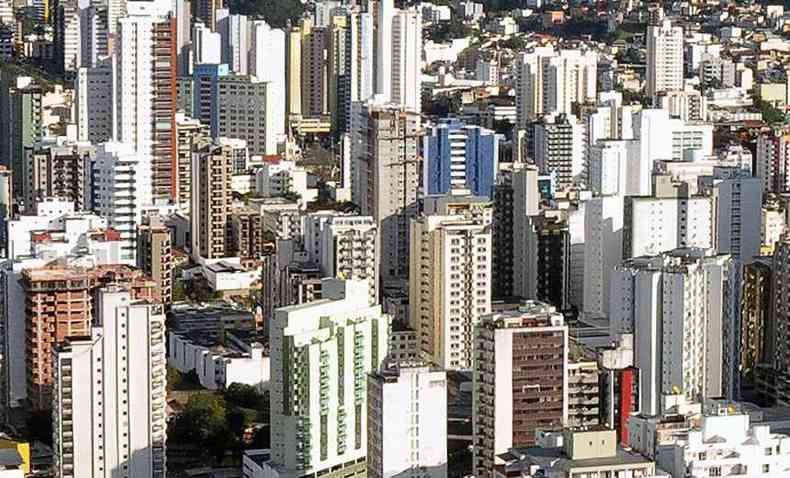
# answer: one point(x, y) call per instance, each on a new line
point(94, 102)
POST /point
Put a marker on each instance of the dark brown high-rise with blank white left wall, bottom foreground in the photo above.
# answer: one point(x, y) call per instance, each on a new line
point(520, 381)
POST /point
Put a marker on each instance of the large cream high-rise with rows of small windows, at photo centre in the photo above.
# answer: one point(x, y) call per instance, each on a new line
point(450, 276)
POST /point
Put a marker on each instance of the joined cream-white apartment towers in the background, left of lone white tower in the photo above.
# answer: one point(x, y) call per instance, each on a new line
point(550, 81)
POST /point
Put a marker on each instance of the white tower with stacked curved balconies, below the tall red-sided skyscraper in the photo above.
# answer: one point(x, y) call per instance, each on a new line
point(122, 188)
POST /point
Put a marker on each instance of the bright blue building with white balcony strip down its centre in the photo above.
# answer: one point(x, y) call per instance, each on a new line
point(459, 156)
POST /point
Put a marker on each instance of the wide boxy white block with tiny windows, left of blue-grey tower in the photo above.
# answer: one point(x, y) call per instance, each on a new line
point(654, 225)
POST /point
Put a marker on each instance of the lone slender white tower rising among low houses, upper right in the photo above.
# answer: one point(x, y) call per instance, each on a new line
point(664, 58)
